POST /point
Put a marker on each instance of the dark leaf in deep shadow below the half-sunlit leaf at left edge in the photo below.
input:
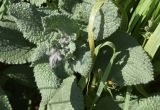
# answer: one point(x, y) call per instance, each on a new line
point(21, 73)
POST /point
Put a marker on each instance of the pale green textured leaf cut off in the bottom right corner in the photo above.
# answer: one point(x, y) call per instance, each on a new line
point(151, 103)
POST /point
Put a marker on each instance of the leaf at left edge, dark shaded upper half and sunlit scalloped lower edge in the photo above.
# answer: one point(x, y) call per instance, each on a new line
point(14, 49)
